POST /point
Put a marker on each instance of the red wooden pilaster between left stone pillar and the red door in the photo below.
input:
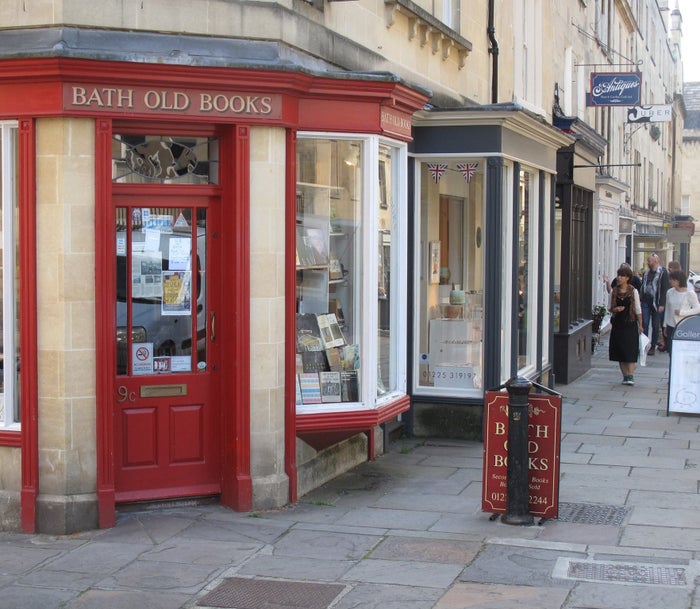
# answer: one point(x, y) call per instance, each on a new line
point(105, 322)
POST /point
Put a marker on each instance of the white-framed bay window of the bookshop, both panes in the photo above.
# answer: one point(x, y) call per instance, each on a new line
point(350, 268)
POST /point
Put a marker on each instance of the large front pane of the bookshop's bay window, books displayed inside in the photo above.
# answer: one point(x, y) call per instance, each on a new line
point(328, 289)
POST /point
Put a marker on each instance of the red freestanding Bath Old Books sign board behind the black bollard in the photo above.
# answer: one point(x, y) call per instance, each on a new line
point(544, 433)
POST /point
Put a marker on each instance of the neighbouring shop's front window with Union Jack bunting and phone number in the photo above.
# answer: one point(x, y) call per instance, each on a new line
point(449, 350)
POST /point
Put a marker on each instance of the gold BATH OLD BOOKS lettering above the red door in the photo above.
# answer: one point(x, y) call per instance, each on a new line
point(171, 101)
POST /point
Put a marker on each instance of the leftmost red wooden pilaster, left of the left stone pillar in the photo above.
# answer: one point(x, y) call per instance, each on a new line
point(29, 405)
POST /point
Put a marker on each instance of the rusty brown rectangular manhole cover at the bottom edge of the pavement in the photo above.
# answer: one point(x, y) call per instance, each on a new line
point(242, 593)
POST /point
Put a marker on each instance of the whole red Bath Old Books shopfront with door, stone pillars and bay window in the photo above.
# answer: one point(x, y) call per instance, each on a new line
point(175, 380)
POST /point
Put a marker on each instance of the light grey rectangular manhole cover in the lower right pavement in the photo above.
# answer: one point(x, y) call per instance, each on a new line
point(627, 573)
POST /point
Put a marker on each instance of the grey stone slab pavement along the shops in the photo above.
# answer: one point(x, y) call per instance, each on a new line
point(407, 531)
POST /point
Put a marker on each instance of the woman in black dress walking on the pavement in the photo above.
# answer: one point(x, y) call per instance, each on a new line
point(626, 322)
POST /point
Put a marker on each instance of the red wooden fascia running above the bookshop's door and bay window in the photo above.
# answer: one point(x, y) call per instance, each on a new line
point(35, 87)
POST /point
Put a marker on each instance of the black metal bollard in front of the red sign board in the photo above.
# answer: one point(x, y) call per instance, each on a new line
point(518, 483)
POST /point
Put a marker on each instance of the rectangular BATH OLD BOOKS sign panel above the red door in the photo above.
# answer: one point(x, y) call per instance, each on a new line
point(181, 102)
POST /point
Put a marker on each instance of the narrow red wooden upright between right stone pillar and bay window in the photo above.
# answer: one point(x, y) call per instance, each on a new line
point(290, 444)
